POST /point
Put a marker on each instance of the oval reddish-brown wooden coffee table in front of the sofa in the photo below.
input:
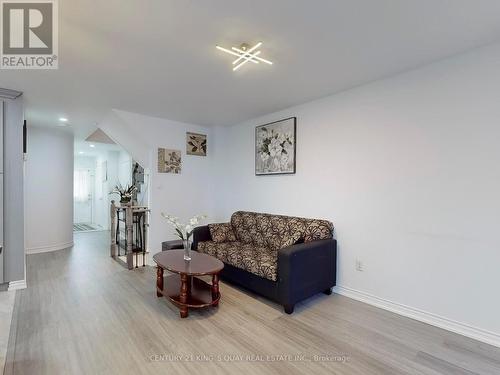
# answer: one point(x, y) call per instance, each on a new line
point(183, 288)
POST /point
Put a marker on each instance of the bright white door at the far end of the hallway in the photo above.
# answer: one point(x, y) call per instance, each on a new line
point(83, 196)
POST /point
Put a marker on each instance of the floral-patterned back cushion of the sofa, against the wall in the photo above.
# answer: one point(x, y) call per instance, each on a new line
point(277, 231)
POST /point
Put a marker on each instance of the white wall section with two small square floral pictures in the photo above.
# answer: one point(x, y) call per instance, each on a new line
point(185, 194)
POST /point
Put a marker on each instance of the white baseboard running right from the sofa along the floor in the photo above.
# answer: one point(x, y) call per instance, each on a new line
point(422, 316)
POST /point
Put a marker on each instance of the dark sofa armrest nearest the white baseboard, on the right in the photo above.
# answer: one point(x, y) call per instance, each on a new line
point(306, 269)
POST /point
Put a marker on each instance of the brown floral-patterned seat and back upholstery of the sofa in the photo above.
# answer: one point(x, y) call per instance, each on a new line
point(252, 240)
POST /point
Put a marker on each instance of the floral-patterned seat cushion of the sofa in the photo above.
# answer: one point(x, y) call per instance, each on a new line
point(258, 260)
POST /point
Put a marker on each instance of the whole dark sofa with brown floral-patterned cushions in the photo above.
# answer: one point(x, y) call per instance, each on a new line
point(286, 259)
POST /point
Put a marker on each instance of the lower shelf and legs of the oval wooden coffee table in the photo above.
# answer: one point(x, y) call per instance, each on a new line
point(197, 293)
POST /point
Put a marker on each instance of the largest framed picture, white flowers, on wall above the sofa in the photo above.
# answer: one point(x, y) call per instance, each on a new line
point(275, 147)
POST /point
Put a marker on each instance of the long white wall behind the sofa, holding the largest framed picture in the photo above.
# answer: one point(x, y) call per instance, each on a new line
point(407, 169)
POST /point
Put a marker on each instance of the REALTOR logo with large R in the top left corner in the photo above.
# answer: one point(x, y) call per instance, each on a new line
point(29, 34)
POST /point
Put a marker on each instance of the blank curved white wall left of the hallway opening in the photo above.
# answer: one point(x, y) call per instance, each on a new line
point(49, 190)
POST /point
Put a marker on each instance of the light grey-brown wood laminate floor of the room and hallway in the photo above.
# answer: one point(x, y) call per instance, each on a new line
point(84, 314)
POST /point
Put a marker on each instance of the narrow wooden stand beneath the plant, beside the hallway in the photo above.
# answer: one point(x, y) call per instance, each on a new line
point(135, 241)
